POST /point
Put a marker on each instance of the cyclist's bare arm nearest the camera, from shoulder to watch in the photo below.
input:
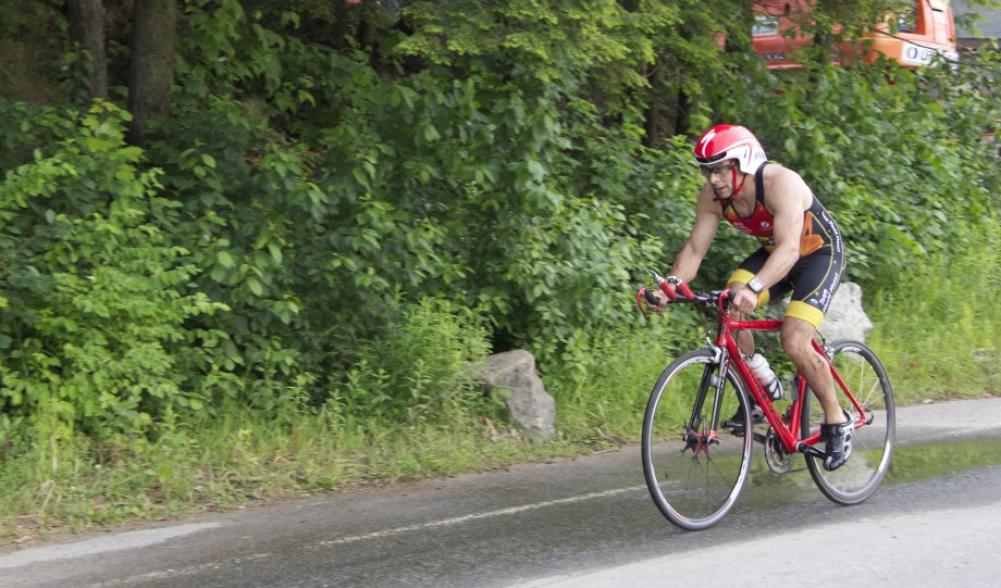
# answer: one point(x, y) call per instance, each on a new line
point(785, 199)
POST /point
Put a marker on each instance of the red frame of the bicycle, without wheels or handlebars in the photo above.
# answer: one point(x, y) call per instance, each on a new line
point(787, 434)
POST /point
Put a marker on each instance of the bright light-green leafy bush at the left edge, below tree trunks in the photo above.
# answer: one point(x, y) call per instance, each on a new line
point(95, 298)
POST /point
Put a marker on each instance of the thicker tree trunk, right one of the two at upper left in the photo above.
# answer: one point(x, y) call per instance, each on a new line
point(152, 72)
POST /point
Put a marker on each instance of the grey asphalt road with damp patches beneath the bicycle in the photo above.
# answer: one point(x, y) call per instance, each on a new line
point(585, 522)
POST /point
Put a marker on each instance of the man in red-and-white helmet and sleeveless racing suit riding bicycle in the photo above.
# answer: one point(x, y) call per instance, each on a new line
point(801, 252)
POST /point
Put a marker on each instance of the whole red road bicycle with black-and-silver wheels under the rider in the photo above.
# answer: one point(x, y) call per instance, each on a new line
point(696, 468)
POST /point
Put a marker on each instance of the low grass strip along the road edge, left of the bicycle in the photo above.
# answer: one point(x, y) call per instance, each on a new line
point(241, 460)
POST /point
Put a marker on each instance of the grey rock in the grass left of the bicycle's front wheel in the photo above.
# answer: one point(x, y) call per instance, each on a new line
point(531, 406)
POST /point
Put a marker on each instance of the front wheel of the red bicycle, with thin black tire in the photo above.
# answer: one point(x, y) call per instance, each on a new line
point(695, 492)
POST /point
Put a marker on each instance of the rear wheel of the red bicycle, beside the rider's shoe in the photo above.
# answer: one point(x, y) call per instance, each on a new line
point(872, 445)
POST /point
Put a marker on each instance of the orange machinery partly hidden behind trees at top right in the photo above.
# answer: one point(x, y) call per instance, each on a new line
point(920, 35)
